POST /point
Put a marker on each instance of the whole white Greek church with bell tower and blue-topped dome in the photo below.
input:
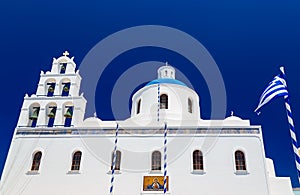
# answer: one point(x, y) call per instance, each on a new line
point(163, 148)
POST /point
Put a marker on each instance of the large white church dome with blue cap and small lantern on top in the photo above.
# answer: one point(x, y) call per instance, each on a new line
point(165, 98)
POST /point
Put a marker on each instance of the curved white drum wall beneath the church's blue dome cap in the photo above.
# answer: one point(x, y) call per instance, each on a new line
point(177, 102)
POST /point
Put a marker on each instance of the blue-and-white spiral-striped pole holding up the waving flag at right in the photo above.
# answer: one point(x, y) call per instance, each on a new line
point(292, 131)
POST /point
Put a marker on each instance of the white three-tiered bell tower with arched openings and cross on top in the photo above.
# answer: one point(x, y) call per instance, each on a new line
point(57, 102)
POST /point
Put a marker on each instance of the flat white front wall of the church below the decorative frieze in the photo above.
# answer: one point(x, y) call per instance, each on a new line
point(53, 177)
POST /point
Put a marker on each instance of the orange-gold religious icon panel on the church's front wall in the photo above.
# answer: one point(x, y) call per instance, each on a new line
point(154, 183)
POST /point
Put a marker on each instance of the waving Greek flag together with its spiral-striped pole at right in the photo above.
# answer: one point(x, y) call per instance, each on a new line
point(278, 88)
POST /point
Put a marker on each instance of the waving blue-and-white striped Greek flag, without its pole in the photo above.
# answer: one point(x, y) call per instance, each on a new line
point(276, 88)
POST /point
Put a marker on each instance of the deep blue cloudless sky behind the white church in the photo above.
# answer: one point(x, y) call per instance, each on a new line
point(249, 40)
